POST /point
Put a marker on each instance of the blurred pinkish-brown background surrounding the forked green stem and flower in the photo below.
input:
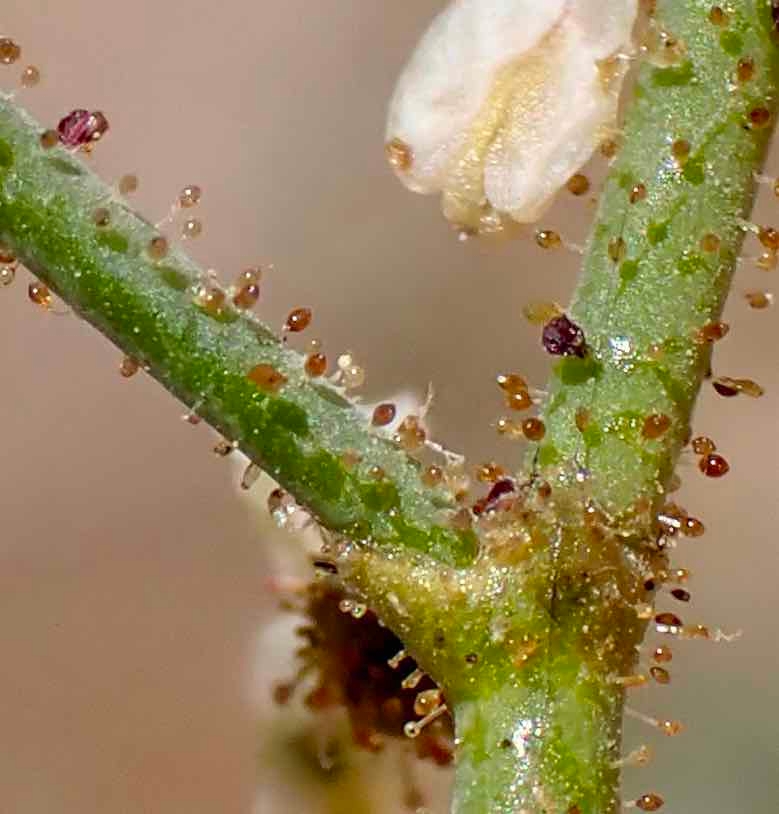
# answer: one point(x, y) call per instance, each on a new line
point(139, 638)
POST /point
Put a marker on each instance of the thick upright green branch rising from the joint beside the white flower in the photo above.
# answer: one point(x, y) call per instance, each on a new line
point(652, 280)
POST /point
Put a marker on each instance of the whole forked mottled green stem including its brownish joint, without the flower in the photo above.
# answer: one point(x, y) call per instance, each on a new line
point(530, 639)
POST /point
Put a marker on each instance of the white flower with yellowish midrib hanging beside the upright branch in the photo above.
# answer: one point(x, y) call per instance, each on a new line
point(503, 100)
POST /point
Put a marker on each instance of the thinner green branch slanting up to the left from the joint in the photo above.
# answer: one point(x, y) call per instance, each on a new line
point(299, 434)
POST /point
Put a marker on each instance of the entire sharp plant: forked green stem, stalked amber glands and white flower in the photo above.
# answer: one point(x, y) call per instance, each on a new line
point(528, 606)
